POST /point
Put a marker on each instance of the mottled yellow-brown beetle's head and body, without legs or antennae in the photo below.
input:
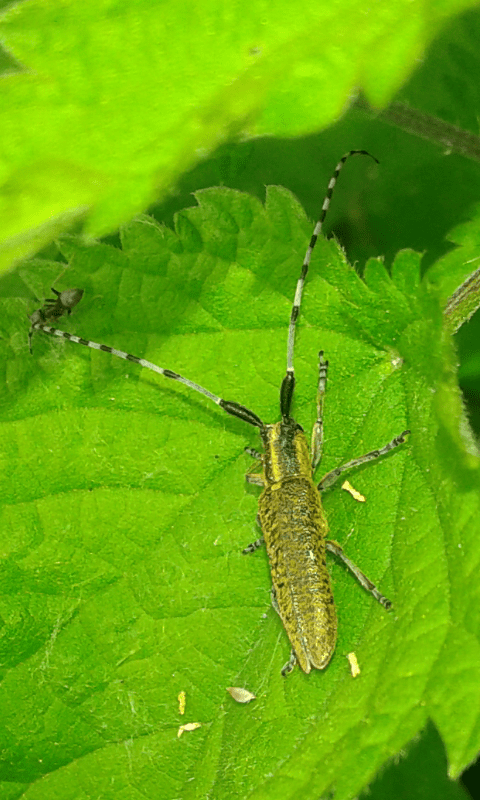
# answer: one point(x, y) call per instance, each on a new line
point(295, 528)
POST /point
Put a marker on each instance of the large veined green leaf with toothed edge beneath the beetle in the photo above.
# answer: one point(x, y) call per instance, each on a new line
point(125, 512)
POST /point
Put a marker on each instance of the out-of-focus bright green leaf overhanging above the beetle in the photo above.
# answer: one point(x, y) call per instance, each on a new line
point(110, 101)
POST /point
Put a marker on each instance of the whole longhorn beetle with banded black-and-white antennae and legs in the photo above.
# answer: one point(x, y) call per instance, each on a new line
point(290, 512)
